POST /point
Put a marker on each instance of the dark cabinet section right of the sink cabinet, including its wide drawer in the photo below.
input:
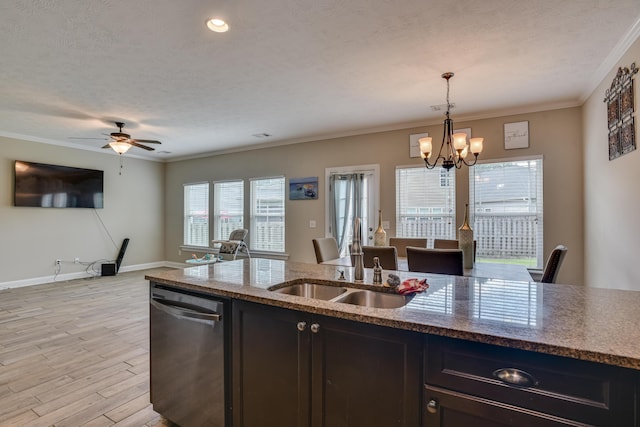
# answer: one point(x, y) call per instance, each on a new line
point(482, 385)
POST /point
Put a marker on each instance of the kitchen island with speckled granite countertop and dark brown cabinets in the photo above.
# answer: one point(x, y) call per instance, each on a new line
point(582, 345)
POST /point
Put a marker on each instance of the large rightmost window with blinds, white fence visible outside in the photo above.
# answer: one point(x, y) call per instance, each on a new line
point(505, 200)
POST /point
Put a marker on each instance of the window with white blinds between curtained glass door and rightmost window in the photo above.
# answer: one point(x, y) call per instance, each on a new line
point(421, 193)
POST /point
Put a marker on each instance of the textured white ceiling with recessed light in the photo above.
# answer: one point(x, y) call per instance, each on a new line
point(295, 69)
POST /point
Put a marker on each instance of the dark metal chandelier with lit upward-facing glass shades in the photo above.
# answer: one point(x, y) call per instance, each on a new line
point(454, 148)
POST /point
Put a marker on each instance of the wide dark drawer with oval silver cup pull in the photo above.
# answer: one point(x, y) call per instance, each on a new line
point(583, 391)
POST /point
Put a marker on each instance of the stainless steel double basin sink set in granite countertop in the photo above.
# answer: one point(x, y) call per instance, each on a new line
point(361, 297)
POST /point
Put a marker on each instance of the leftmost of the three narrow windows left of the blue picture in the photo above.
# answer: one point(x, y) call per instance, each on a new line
point(196, 214)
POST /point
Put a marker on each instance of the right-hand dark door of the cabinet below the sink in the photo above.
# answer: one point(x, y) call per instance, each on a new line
point(364, 375)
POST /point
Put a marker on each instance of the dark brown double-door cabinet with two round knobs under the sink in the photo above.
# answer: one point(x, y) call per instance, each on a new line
point(296, 369)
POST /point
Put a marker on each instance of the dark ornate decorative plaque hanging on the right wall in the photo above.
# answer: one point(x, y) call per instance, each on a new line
point(620, 105)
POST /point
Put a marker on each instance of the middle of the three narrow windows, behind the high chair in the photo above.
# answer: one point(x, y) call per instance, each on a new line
point(228, 208)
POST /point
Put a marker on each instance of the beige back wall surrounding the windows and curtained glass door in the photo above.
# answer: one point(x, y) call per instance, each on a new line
point(556, 135)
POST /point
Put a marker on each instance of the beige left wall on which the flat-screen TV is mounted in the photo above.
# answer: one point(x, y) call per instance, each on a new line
point(34, 237)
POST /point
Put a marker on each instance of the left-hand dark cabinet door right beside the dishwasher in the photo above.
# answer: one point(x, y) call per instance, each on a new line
point(270, 366)
